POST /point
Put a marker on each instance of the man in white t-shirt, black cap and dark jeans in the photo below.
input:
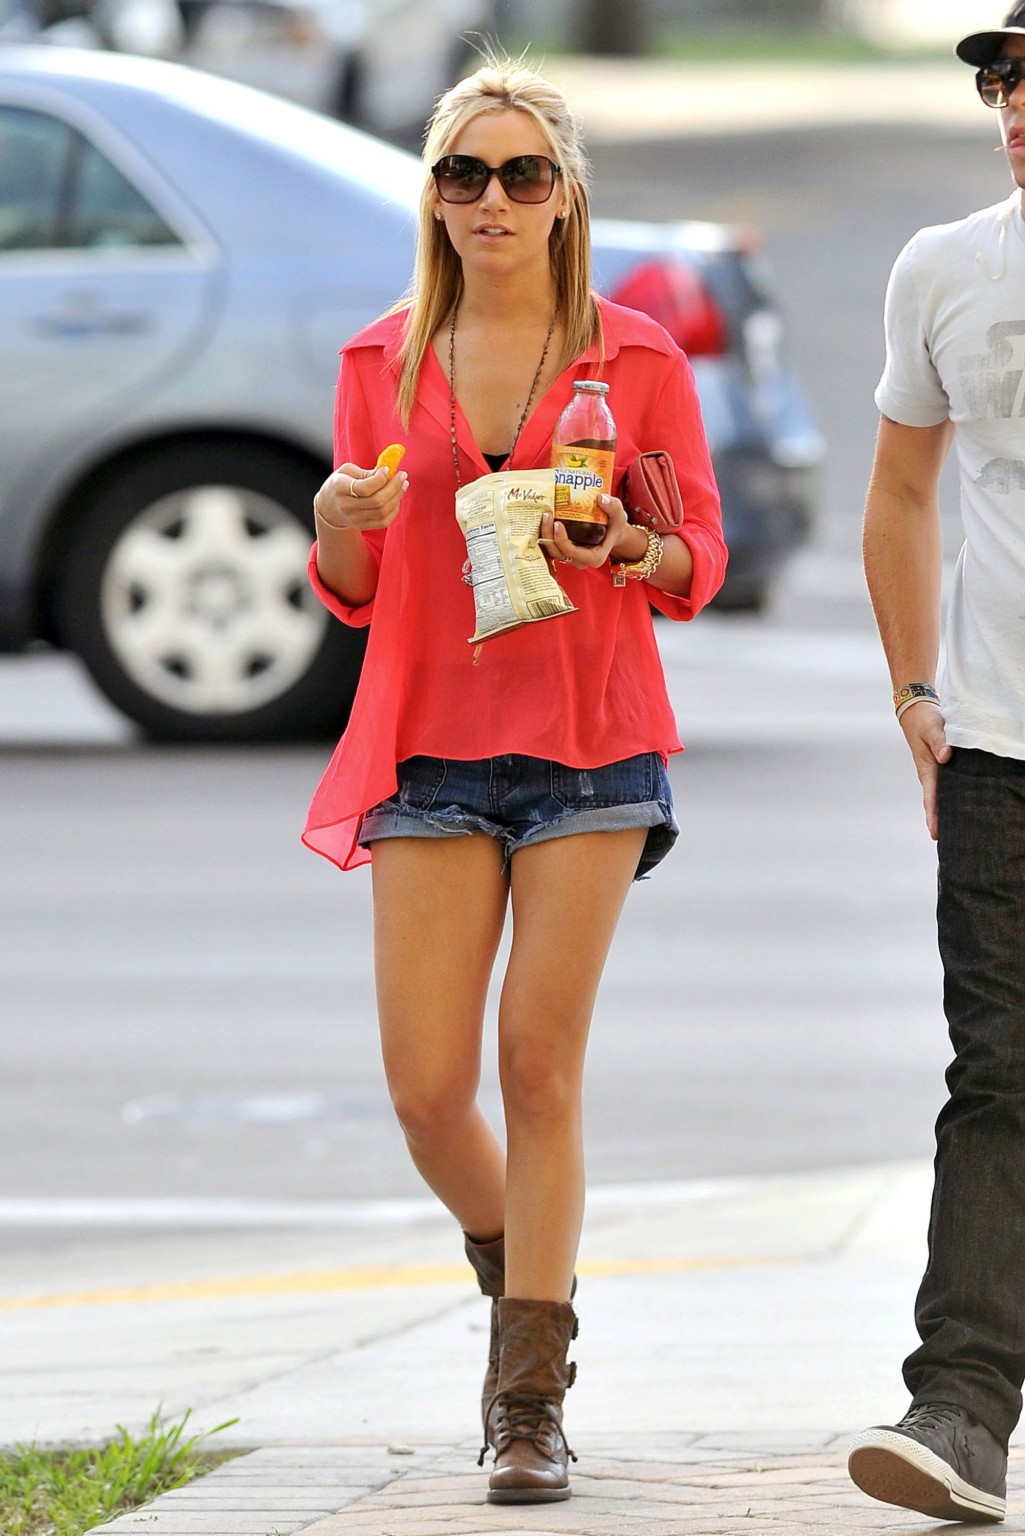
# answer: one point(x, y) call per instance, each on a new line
point(957, 374)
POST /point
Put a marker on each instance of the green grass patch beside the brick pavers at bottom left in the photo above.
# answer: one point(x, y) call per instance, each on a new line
point(68, 1492)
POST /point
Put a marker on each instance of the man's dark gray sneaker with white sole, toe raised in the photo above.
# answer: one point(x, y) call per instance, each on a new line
point(938, 1462)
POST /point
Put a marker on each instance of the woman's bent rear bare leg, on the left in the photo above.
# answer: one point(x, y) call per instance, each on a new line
point(439, 913)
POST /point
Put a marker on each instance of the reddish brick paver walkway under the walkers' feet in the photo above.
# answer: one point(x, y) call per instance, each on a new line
point(688, 1486)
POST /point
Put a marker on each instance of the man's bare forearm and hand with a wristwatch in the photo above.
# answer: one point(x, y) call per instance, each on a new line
point(903, 566)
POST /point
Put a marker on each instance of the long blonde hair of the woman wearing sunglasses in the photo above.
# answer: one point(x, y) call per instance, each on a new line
point(499, 87)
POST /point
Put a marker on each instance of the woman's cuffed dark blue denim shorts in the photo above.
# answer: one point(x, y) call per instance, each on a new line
point(525, 801)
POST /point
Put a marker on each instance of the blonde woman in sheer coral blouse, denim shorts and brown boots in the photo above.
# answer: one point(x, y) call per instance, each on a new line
point(531, 780)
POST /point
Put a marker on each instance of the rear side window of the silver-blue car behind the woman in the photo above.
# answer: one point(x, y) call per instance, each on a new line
point(58, 191)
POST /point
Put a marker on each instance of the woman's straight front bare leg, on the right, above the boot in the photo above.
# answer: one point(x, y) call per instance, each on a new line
point(566, 898)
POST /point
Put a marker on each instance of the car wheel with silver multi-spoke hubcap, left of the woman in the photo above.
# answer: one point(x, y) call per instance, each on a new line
point(184, 591)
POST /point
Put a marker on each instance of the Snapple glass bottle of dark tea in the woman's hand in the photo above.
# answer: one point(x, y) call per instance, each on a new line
point(585, 462)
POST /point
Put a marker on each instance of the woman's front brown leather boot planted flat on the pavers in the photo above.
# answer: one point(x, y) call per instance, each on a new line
point(525, 1422)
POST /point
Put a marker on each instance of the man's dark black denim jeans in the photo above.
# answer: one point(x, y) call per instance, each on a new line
point(970, 1311)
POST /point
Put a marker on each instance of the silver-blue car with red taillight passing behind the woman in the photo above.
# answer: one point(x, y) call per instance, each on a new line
point(181, 259)
